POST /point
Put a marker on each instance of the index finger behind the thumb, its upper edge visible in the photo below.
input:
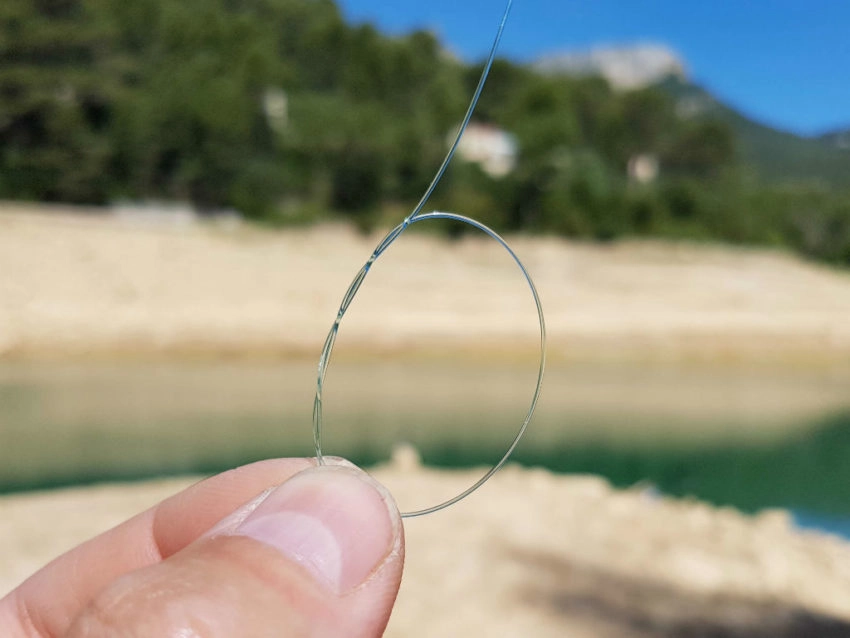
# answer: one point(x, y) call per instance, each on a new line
point(46, 604)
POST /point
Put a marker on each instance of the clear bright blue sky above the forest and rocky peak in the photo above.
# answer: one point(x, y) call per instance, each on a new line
point(783, 62)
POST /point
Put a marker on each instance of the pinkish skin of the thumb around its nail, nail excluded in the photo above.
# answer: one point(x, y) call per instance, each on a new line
point(232, 585)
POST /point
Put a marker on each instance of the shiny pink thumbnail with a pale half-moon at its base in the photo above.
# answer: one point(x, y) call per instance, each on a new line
point(335, 521)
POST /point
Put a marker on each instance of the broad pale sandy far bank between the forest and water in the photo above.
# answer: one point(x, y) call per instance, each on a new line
point(87, 284)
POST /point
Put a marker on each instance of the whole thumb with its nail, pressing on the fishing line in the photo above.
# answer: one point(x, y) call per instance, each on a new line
point(320, 555)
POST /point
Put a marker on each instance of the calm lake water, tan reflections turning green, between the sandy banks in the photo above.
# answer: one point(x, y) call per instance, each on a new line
point(748, 437)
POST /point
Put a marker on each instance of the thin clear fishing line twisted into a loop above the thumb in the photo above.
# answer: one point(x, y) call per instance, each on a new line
point(415, 217)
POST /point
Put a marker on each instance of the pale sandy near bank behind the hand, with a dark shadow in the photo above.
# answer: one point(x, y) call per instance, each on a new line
point(535, 554)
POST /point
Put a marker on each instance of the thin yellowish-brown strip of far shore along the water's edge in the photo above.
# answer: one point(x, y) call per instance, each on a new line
point(739, 350)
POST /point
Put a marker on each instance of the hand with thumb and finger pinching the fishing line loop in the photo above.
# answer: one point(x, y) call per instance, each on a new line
point(319, 555)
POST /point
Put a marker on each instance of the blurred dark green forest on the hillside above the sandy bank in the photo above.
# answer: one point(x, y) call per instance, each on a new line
point(282, 111)
